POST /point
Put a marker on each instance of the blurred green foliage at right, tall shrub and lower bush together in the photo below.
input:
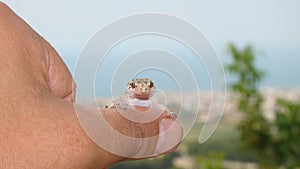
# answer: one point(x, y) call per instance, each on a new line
point(276, 144)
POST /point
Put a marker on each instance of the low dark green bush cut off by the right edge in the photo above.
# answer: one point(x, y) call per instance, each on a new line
point(287, 132)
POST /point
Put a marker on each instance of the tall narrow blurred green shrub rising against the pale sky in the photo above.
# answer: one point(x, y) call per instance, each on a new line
point(254, 128)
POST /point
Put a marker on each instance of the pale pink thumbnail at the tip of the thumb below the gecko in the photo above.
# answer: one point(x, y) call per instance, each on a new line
point(170, 134)
